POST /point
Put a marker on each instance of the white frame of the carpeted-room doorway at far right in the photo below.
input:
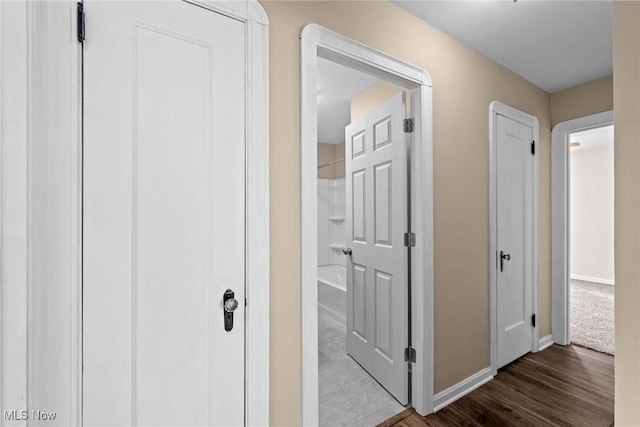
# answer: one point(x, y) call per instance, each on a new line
point(560, 218)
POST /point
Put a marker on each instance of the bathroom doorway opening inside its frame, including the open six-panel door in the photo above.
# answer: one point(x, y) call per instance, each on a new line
point(352, 333)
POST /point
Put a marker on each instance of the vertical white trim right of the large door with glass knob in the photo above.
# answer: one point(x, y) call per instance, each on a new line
point(258, 246)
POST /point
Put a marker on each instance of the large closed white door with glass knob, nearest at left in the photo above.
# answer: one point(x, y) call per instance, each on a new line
point(164, 209)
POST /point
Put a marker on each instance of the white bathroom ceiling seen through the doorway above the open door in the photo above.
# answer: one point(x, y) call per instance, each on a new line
point(337, 85)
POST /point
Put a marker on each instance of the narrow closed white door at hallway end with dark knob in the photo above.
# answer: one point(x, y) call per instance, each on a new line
point(514, 258)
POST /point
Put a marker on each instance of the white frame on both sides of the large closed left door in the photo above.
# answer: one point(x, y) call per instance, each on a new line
point(48, 35)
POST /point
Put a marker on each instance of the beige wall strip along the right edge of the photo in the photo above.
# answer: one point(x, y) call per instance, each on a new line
point(626, 67)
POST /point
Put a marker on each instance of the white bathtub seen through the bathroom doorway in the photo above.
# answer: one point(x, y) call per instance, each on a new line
point(332, 291)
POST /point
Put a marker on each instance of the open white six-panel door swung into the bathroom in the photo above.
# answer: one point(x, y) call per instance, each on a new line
point(377, 315)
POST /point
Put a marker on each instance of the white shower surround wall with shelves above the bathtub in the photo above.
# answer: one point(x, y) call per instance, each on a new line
point(331, 221)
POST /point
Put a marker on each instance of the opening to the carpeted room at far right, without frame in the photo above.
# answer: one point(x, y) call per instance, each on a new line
point(591, 243)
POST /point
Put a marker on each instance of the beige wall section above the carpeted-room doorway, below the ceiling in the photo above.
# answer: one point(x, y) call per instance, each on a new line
point(583, 100)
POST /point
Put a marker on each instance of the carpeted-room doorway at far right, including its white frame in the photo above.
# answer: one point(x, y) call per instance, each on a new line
point(570, 253)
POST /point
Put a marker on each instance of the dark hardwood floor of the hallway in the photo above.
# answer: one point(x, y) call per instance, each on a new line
point(559, 386)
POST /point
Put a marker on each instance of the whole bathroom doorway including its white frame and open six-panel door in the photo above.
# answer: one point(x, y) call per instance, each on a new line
point(369, 203)
